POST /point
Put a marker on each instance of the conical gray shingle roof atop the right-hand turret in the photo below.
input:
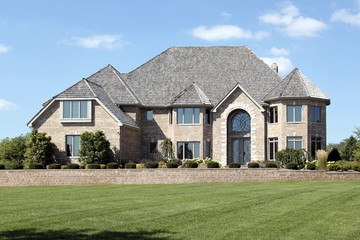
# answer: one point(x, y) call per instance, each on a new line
point(296, 85)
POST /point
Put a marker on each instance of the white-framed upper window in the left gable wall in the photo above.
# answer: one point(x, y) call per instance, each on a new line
point(75, 110)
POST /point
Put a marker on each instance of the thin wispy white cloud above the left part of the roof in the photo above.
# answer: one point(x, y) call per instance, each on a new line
point(108, 42)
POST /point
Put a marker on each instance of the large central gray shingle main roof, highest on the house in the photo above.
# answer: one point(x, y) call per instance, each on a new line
point(214, 69)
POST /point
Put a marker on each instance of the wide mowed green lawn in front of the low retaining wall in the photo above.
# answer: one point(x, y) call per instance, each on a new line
point(255, 210)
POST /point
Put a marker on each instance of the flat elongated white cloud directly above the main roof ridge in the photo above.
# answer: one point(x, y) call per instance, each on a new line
point(225, 32)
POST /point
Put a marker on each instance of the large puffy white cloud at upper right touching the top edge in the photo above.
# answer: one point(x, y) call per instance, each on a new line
point(292, 23)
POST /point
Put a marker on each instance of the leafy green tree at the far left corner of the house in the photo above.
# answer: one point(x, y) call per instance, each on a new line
point(39, 149)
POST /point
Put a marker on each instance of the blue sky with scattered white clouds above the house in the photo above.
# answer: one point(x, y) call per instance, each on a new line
point(46, 46)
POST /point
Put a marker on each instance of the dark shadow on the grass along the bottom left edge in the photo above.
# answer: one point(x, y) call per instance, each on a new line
point(83, 234)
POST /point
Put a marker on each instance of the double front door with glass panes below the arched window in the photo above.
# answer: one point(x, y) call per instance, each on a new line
point(240, 150)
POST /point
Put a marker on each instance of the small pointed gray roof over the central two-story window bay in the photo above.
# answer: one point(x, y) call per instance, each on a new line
point(192, 95)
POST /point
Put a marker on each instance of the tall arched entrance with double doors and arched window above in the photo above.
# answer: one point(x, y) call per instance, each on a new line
point(238, 135)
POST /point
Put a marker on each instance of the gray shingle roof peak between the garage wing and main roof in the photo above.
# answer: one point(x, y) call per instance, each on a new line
point(119, 91)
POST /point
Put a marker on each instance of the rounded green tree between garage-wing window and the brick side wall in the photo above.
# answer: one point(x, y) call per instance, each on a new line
point(94, 148)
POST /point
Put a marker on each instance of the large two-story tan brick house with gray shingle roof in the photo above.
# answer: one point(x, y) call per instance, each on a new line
point(218, 102)
